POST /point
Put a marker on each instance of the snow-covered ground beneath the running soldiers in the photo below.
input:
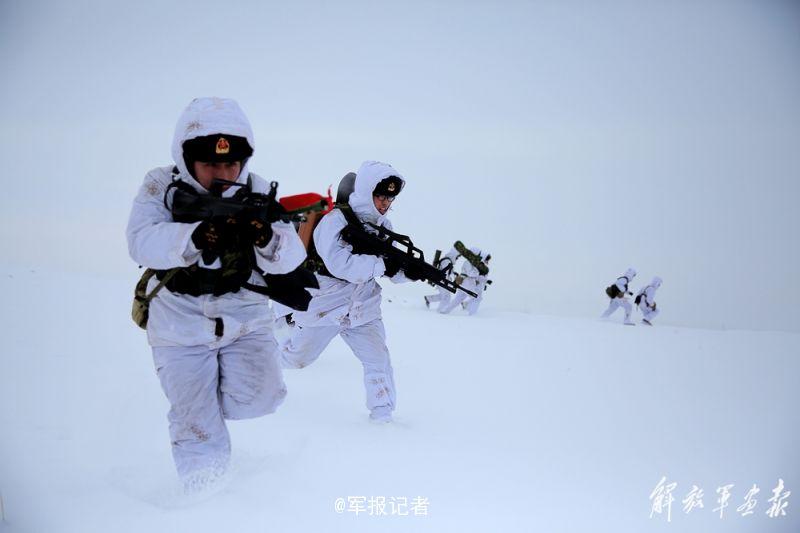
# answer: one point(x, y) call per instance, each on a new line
point(505, 422)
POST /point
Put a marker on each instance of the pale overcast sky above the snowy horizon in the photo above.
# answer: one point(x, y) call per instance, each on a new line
point(570, 139)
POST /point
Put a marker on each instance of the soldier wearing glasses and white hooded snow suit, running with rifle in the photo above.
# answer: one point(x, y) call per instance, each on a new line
point(348, 302)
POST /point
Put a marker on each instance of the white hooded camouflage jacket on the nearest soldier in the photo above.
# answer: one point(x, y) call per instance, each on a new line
point(155, 241)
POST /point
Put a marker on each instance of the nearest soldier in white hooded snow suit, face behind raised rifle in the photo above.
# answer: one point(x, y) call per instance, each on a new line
point(213, 347)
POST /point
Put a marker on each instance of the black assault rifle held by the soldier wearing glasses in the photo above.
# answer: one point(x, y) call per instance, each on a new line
point(395, 247)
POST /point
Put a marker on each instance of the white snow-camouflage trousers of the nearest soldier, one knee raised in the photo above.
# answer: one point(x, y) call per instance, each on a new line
point(205, 387)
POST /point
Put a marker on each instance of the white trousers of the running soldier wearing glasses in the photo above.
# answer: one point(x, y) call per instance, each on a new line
point(368, 343)
